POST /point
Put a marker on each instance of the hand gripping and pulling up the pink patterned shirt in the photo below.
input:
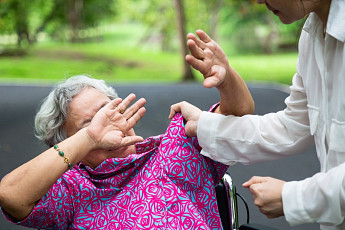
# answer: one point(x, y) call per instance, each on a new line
point(190, 113)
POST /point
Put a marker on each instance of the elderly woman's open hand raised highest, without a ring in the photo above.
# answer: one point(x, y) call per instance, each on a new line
point(208, 58)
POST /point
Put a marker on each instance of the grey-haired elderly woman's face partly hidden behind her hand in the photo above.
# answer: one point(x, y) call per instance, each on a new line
point(82, 109)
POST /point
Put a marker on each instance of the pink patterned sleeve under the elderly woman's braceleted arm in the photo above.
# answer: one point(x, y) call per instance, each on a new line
point(53, 211)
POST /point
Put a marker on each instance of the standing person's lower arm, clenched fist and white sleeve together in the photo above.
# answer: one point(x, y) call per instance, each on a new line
point(320, 198)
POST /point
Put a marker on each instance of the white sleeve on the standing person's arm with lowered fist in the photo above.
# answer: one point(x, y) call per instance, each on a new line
point(320, 198)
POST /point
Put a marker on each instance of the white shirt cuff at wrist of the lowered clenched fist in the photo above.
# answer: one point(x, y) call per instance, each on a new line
point(293, 207)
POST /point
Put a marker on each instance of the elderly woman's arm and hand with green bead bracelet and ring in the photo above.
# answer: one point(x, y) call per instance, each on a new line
point(23, 187)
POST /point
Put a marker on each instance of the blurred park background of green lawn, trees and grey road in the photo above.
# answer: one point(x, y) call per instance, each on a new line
point(139, 46)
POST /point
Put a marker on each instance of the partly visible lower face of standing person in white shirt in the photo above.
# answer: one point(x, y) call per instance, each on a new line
point(288, 11)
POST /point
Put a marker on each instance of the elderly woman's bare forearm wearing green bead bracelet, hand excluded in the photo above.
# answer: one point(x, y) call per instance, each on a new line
point(24, 186)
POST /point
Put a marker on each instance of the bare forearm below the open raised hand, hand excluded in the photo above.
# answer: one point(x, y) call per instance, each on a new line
point(235, 98)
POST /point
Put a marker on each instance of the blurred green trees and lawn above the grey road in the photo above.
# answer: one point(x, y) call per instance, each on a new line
point(140, 36)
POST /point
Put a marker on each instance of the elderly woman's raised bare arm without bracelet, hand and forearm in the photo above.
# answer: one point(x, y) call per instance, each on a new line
point(209, 58)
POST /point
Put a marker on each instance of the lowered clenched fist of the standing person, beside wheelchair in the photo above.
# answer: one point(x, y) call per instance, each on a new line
point(267, 195)
